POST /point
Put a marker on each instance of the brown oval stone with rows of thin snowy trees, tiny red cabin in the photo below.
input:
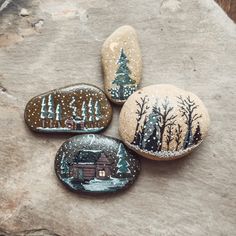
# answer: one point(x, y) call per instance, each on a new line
point(80, 108)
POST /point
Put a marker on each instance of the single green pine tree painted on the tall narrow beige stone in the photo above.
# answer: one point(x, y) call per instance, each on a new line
point(122, 76)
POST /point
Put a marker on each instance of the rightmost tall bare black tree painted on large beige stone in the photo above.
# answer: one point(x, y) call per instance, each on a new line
point(188, 107)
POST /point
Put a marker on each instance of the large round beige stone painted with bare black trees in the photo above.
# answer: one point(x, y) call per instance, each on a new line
point(163, 122)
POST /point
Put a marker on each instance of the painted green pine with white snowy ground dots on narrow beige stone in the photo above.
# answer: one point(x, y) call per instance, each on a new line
point(124, 84)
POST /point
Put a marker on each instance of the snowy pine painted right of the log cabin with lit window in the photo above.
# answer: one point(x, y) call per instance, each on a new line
point(122, 165)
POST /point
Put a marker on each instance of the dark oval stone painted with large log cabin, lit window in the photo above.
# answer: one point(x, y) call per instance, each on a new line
point(95, 164)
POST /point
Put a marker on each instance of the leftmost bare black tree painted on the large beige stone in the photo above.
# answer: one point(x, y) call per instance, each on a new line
point(141, 111)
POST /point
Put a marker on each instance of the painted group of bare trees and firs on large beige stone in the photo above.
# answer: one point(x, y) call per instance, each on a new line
point(162, 130)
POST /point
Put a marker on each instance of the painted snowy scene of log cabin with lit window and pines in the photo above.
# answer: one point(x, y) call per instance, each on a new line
point(94, 171)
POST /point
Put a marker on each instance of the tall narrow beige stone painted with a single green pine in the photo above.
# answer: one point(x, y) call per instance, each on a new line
point(122, 64)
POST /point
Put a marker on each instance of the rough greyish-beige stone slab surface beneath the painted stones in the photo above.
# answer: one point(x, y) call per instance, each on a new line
point(190, 44)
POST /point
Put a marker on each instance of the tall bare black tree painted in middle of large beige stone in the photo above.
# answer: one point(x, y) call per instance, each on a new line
point(165, 118)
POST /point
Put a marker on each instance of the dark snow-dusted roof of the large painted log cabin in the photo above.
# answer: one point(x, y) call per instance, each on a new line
point(87, 156)
